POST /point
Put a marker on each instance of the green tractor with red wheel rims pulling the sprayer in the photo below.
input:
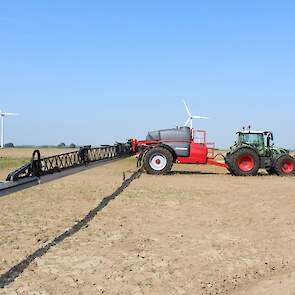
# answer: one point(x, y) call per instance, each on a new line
point(255, 150)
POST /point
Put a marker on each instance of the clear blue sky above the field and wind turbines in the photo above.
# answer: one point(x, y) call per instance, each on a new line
point(99, 71)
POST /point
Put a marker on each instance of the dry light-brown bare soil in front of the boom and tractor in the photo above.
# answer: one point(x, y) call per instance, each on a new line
point(196, 231)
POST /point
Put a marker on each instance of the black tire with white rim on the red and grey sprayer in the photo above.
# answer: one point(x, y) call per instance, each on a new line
point(161, 155)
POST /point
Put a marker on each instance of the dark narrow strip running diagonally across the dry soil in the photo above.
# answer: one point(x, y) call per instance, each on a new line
point(12, 274)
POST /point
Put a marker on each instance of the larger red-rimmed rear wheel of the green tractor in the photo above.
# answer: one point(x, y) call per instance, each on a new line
point(244, 162)
